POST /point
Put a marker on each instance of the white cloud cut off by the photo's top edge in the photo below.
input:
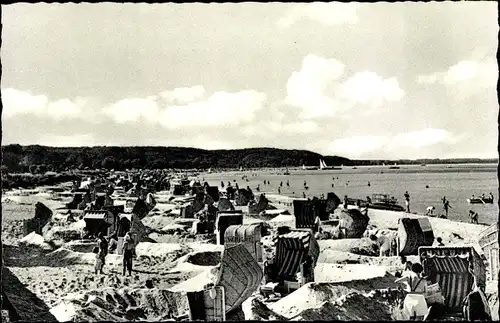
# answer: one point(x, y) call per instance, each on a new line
point(332, 13)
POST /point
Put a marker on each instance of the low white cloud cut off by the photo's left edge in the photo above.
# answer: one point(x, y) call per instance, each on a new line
point(16, 102)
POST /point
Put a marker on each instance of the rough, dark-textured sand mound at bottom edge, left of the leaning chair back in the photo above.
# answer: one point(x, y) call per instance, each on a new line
point(122, 305)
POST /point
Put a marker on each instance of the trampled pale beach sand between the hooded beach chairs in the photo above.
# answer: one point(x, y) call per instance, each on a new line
point(55, 275)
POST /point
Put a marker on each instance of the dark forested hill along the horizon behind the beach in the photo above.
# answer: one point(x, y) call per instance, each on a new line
point(42, 158)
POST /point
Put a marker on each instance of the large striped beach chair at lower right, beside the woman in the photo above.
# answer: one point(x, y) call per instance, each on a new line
point(451, 268)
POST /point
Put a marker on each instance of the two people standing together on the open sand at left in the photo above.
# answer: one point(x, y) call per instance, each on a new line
point(104, 248)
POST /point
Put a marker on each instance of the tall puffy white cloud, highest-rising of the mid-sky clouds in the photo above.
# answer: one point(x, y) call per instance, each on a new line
point(305, 89)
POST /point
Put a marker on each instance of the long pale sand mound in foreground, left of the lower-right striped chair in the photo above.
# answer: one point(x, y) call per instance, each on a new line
point(312, 295)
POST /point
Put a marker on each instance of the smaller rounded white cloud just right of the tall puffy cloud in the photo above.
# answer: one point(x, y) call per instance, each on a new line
point(368, 87)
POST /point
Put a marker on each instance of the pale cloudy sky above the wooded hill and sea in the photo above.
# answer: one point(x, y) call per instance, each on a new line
point(374, 80)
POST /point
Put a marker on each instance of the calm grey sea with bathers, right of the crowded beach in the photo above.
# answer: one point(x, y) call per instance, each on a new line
point(456, 182)
